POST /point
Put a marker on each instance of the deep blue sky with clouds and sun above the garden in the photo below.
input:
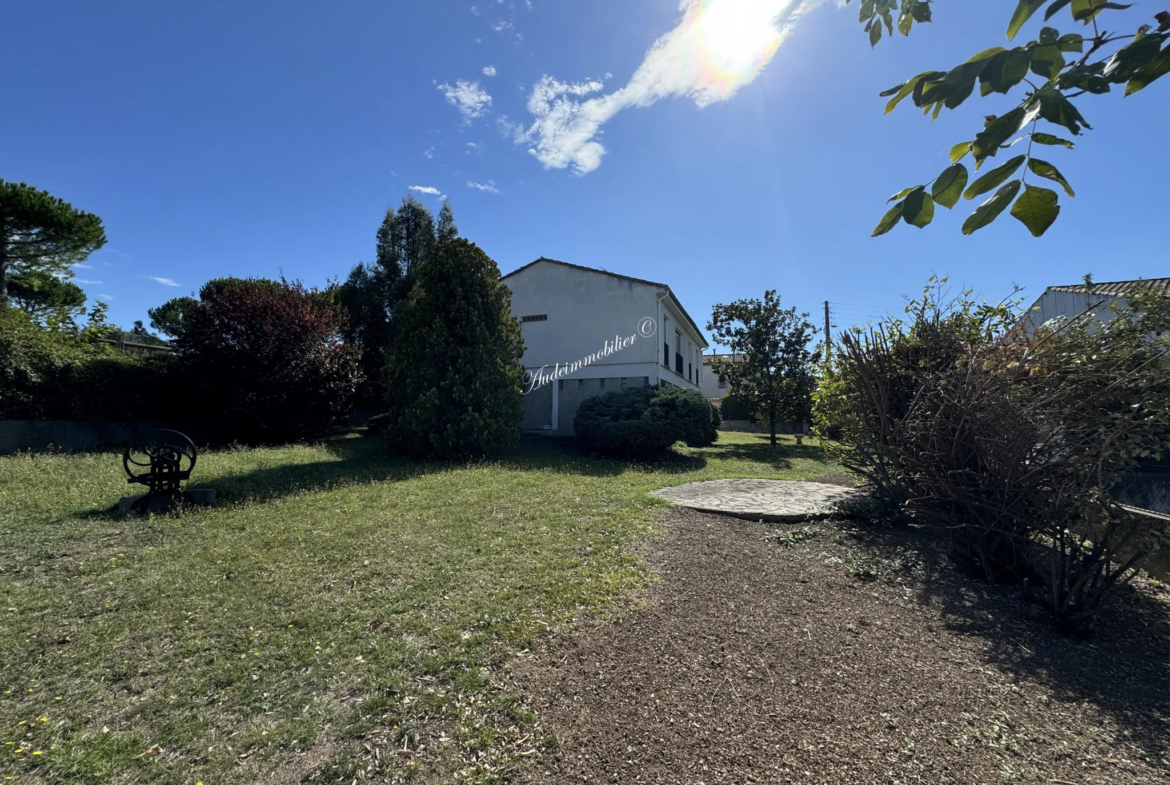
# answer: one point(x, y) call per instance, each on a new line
point(259, 139)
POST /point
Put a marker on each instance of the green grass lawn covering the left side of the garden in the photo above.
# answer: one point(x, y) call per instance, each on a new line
point(339, 607)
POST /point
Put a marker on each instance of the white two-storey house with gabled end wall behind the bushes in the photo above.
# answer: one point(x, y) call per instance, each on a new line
point(590, 332)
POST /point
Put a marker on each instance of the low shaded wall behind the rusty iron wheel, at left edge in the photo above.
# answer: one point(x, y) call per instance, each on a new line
point(42, 436)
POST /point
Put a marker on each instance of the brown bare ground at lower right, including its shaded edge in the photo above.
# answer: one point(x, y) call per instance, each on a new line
point(829, 655)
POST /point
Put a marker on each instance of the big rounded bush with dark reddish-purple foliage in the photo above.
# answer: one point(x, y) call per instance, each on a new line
point(266, 357)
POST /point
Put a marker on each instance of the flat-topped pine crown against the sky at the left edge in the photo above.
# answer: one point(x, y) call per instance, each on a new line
point(43, 233)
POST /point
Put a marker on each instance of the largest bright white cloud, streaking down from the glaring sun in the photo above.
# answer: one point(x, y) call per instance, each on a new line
point(718, 47)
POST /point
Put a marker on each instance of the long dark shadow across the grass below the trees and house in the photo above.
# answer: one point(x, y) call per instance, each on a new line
point(363, 459)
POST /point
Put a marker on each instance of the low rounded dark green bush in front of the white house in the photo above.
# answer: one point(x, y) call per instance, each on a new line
point(644, 423)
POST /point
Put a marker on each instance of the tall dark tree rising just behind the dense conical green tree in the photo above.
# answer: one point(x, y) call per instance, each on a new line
point(371, 293)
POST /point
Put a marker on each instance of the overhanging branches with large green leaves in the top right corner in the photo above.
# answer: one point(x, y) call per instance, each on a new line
point(1057, 68)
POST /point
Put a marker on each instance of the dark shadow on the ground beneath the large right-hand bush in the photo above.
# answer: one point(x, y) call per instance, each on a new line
point(1123, 670)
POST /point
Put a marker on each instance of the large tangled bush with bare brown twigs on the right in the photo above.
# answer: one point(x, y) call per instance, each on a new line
point(1011, 444)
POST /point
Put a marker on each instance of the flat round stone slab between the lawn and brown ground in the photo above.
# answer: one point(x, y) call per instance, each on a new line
point(779, 501)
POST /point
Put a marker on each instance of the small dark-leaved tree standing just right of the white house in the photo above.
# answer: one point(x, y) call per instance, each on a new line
point(775, 376)
